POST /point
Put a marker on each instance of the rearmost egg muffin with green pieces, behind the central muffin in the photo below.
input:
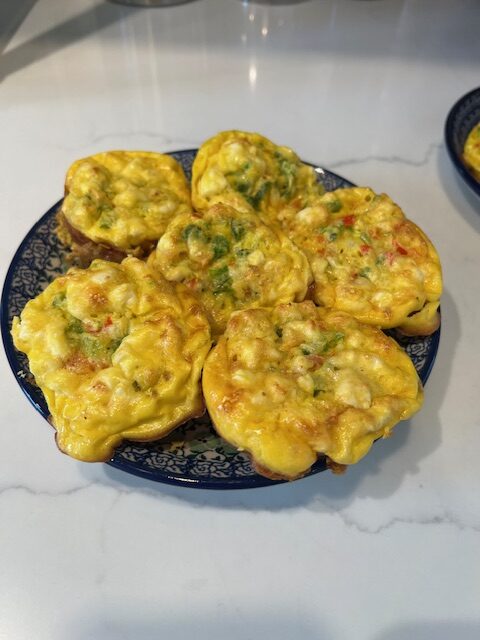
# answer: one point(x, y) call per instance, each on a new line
point(249, 172)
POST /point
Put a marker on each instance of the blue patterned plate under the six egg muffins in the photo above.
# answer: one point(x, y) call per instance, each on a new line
point(192, 455)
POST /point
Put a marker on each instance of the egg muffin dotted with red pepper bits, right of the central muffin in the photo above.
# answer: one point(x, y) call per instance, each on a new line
point(369, 260)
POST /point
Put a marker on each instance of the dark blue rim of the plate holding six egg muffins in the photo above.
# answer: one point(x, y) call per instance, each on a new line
point(174, 479)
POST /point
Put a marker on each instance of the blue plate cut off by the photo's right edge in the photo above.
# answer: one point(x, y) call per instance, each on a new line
point(463, 116)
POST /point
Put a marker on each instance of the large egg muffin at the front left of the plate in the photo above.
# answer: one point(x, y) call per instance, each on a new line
point(117, 352)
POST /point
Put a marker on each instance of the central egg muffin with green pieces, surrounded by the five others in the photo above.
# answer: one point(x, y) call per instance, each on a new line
point(231, 261)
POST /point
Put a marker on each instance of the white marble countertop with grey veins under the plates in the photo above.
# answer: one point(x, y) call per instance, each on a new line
point(390, 550)
